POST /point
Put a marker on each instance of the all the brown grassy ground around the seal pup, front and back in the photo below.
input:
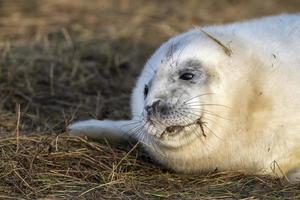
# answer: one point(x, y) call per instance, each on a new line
point(64, 60)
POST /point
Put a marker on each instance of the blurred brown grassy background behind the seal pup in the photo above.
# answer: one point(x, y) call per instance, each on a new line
point(61, 60)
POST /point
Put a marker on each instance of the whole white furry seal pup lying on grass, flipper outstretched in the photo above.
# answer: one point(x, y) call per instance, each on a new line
point(221, 97)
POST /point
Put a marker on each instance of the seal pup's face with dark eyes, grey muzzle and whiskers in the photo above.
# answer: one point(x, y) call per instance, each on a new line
point(174, 98)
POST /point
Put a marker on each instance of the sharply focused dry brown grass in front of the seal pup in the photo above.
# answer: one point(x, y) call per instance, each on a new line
point(61, 166)
